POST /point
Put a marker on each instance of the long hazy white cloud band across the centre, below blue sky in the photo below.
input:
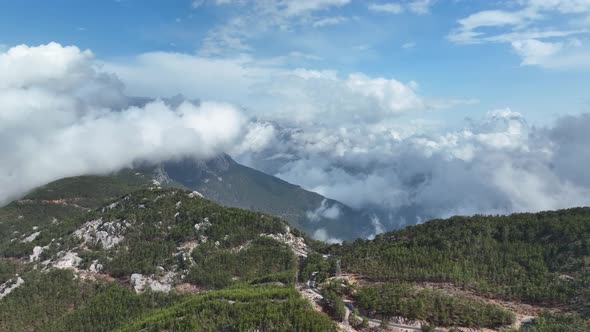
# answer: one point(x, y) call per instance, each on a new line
point(268, 89)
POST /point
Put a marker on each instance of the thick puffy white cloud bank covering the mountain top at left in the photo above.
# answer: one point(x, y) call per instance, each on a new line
point(60, 116)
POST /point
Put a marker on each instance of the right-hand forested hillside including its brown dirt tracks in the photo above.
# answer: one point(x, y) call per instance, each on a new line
point(532, 264)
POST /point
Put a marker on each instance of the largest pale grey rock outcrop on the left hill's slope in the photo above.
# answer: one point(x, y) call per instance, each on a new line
point(107, 234)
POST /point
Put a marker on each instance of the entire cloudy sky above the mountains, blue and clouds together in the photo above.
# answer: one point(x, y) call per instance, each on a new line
point(418, 108)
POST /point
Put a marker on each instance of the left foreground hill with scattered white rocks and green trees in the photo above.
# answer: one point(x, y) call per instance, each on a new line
point(165, 245)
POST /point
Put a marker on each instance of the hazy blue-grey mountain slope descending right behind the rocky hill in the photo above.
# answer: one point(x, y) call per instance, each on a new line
point(229, 183)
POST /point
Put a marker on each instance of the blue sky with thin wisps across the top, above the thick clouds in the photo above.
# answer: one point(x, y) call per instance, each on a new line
point(403, 40)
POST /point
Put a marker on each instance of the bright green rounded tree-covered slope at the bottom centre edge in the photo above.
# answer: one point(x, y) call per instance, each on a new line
point(260, 308)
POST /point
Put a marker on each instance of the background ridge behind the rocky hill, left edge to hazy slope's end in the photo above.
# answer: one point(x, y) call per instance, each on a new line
point(220, 179)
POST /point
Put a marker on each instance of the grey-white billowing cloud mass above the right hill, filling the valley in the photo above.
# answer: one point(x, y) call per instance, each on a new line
point(498, 164)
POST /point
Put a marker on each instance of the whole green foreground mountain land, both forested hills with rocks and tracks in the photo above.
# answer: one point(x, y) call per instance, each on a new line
point(156, 258)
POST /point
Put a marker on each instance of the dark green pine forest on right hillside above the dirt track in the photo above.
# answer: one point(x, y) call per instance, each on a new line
point(541, 258)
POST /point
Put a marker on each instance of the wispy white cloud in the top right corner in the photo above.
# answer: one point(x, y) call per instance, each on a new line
point(533, 33)
